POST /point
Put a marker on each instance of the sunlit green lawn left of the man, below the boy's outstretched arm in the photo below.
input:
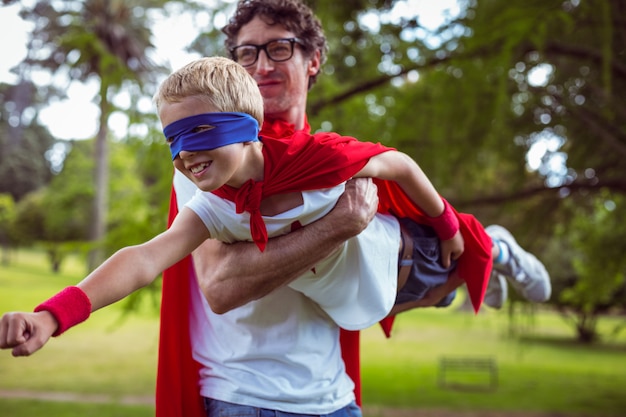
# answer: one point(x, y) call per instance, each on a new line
point(110, 354)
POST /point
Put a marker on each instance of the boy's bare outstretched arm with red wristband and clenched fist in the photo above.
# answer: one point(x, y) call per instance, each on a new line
point(126, 271)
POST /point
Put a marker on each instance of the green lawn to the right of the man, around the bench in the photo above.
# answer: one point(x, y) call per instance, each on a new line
point(543, 371)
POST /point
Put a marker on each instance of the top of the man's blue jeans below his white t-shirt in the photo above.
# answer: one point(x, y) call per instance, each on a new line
point(215, 408)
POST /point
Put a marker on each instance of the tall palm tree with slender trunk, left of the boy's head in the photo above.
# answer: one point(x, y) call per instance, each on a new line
point(106, 39)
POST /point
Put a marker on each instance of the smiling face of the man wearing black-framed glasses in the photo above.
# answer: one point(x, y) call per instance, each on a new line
point(283, 85)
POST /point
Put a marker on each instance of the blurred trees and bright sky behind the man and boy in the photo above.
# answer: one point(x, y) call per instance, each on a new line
point(516, 110)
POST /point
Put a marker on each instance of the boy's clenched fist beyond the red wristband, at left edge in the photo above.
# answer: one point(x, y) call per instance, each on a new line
point(26, 333)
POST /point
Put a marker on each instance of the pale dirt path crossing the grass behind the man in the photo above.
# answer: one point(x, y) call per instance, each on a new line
point(371, 411)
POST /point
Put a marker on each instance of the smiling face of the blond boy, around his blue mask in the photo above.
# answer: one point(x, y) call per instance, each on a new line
point(208, 169)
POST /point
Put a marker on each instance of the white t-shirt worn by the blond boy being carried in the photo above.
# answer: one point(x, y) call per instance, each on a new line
point(356, 285)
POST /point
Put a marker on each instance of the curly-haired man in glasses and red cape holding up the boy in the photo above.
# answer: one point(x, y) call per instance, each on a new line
point(273, 338)
